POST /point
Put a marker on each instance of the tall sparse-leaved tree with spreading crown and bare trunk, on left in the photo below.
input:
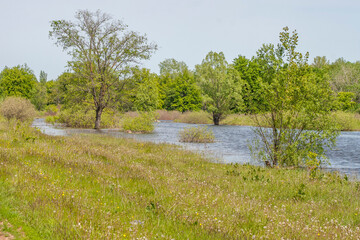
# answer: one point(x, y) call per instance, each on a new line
point(102, 50)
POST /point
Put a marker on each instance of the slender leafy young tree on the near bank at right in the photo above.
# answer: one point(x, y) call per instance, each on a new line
point(298, 100)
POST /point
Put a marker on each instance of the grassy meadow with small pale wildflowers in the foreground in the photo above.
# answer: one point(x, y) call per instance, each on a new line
point(92, 187)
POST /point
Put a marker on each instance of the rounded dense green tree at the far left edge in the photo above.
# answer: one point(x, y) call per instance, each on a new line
point(17, 81)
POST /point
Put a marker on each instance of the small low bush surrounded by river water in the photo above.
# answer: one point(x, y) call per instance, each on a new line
point(197, 135)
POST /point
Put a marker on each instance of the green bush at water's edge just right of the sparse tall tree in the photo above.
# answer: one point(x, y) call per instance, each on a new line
point(143, 123)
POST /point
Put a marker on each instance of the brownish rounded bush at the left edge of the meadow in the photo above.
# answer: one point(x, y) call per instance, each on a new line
point(17, 108)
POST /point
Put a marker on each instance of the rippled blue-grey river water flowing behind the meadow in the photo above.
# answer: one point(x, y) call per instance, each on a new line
point(231, 142)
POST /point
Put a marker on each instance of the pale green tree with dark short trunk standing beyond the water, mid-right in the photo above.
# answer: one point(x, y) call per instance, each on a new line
point(220, 84)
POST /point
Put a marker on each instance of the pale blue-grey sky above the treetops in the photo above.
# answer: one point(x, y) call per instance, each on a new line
point(185, 30)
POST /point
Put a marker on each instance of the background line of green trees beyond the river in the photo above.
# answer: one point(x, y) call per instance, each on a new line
point(214, 85)
